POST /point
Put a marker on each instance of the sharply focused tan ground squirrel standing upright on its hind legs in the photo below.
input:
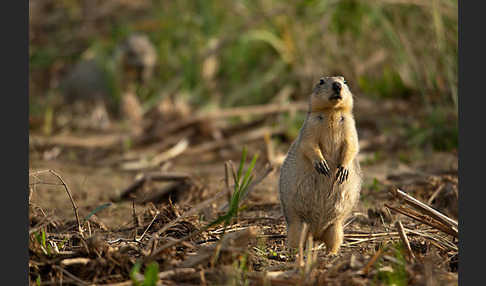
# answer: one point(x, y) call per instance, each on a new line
point(320, 178)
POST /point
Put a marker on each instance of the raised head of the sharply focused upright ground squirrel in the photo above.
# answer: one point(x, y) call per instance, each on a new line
point(331, 93)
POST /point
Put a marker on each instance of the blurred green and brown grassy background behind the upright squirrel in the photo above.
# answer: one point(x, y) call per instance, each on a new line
point(129, 56)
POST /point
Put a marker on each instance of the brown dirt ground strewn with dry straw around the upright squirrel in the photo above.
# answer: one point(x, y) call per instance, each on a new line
point(253, 250)
